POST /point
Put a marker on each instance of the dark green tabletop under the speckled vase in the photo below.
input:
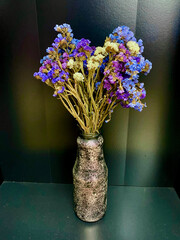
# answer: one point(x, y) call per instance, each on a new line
point(44, 211)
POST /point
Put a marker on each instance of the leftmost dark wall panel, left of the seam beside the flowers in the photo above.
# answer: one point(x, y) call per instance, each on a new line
point(24, 149)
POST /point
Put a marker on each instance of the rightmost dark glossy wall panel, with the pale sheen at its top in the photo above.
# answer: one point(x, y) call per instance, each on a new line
point(149, 159)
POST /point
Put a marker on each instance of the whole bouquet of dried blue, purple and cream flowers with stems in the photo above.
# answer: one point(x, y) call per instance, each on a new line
point(91, 81)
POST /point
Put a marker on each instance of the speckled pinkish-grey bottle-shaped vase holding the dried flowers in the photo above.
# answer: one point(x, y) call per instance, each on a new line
point(90, 179)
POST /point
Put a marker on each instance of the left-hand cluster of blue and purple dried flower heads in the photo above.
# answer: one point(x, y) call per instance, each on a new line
point(54, 65)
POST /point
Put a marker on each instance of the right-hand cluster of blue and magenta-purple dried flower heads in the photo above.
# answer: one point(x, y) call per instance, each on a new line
point(122, 74)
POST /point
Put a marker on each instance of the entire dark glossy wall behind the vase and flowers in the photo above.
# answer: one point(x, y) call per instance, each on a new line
point(38, 136)
